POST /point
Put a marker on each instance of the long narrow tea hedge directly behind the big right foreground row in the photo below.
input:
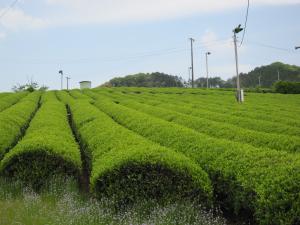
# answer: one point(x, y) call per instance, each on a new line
point(214, 129)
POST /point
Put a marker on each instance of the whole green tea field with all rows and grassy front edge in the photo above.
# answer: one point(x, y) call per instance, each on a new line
point(162, 146)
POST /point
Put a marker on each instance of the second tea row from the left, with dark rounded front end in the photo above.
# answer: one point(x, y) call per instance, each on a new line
point(47, 149)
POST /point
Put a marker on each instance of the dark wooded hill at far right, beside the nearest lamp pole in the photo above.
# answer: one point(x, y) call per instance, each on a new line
point(269, 75)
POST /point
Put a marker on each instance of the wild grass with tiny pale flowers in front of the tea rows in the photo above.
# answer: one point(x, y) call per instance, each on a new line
point(62, 203)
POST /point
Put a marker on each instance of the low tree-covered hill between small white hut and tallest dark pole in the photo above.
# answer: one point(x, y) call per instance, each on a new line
point(145, 80)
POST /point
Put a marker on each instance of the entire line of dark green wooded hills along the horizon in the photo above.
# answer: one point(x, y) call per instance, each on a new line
point(268, 76)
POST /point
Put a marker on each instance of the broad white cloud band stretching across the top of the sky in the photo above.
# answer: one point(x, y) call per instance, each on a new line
point(73, 12)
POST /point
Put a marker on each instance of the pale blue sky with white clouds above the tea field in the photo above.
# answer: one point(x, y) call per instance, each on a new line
point(99, 39)
